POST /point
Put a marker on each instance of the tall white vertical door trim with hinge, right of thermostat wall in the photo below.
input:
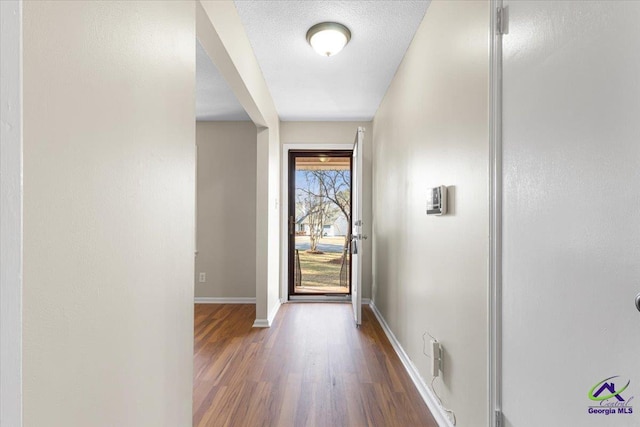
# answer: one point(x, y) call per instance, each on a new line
point(494, 371)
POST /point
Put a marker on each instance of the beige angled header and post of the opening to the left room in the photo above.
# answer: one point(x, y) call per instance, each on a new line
point(222, 35)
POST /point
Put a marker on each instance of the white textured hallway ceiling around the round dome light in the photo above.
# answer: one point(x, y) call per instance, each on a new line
point(347, 86)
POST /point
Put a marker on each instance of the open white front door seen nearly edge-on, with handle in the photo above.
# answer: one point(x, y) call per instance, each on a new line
point(356, 227)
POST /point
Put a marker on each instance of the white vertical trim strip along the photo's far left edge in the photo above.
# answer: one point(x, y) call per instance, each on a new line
point(11, 194)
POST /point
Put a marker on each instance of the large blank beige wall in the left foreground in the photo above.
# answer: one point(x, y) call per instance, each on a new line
point(109, 194)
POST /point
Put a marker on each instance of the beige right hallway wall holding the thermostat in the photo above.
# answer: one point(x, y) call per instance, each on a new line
point(430, 273)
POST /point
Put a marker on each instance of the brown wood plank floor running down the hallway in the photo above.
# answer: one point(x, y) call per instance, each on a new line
point(313, 367)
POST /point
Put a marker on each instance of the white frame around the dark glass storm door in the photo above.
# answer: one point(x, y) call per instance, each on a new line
point(284, 220)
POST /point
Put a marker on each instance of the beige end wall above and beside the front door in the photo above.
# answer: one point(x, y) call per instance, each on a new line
point(328, 133)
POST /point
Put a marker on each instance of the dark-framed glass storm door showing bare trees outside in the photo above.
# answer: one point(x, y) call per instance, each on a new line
point(319, 223)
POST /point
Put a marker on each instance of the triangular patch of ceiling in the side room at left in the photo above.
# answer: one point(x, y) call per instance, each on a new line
point(214, 99)
